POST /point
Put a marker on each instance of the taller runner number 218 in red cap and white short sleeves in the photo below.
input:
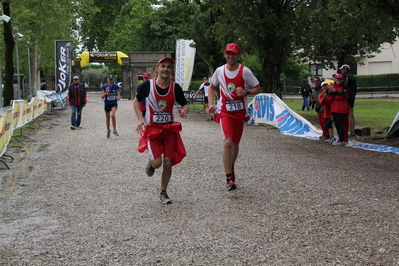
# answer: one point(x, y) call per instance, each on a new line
point(235, 83)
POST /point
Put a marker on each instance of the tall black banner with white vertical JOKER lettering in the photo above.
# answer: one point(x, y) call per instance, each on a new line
point(63, 71)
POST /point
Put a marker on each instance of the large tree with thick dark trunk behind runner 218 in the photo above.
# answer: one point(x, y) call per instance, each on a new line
point(262, 27)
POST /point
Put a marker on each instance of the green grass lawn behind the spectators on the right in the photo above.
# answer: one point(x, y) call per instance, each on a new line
point(377, 114)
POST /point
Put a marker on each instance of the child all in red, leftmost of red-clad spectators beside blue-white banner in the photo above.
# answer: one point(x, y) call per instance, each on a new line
point(325, 100)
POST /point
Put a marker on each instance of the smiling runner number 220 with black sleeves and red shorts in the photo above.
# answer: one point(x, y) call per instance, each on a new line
point(160, 134)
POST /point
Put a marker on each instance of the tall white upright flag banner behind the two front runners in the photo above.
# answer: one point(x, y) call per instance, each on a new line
point(185, 56)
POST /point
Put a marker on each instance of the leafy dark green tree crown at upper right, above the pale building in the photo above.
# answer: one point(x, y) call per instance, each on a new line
point(333, 32)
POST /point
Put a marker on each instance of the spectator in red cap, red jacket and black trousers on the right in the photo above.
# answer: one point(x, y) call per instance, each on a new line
point(340, 109)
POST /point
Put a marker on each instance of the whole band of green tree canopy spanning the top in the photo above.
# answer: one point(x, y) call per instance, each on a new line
point(273, 35)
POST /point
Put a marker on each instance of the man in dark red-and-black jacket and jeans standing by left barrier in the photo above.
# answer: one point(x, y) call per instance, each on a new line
point(77, 98)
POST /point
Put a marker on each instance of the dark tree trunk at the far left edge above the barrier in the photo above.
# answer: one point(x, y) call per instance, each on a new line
point(8, 92)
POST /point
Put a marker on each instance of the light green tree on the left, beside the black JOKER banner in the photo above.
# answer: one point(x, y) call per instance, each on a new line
point(41, 23)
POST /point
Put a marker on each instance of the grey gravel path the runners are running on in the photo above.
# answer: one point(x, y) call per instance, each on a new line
point(78, 198)
